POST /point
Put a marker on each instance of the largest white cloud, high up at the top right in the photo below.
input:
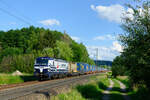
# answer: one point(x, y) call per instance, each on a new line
point(112, 13)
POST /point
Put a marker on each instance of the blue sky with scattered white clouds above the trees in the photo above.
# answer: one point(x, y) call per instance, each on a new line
point(95, 23)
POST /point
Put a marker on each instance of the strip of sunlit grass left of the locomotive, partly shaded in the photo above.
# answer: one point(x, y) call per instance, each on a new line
point(10, 79)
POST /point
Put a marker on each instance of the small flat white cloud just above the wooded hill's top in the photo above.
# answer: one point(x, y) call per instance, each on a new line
point(50, 22)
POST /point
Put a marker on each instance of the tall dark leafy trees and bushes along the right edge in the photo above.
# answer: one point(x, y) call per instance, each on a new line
point(134, 61)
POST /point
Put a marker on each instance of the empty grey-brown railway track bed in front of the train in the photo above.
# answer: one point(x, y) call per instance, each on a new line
point(16, 92)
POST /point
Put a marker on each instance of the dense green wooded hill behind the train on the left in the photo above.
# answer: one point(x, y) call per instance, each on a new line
point(20, 47)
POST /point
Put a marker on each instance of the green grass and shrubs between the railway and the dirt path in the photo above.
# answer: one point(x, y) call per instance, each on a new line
point(90, 91)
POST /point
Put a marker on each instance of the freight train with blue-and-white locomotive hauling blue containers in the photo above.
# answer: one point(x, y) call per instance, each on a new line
point(48, 68)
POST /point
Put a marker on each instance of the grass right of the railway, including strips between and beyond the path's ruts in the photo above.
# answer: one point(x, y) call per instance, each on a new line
point(94, 89)
